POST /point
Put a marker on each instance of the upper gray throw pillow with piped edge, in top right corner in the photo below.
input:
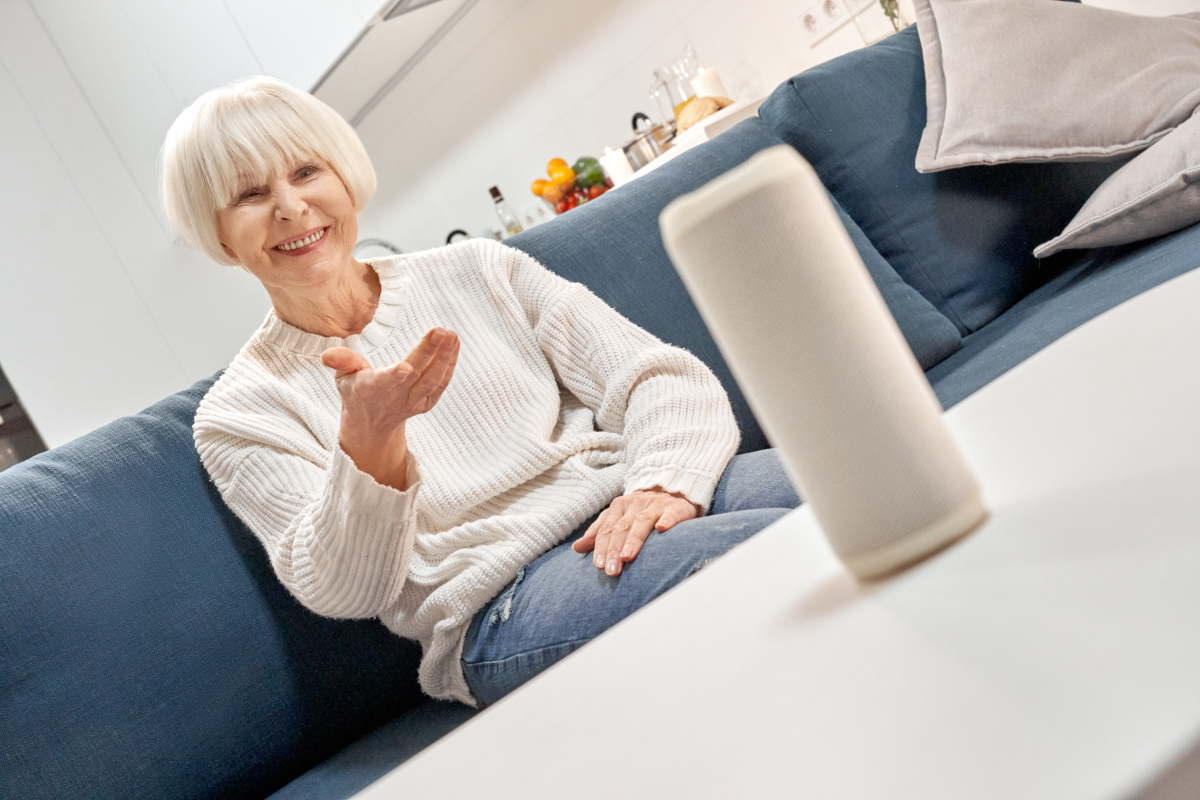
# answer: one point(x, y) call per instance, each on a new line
point(1011, 81)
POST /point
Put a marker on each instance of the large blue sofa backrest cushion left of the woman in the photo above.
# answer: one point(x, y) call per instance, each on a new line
point(147, 648)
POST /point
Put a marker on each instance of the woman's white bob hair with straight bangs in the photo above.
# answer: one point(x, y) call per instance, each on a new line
point(245, 134)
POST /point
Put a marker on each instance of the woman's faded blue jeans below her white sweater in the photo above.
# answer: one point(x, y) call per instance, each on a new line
point(560, 603)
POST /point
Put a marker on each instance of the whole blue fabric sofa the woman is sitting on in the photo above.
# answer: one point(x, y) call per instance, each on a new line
point(147, 649)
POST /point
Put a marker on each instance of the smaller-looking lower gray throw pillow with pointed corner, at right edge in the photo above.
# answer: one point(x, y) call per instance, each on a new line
point(1154, 195)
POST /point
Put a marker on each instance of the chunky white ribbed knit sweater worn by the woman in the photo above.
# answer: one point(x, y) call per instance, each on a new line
point(557, 406)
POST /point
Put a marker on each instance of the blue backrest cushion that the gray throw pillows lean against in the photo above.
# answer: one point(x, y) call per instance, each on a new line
point(963, 238)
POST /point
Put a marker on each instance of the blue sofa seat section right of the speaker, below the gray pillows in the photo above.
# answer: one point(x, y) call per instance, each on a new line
point(1099, 281)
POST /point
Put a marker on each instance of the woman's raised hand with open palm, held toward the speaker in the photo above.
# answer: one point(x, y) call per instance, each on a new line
point(377, 404)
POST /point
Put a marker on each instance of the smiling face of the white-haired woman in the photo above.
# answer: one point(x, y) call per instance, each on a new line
point(296, 231)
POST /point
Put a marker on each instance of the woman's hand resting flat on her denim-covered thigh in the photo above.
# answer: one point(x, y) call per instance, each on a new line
point(616, 537)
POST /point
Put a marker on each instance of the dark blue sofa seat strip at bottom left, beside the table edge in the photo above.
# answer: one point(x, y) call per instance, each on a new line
point(379, 753)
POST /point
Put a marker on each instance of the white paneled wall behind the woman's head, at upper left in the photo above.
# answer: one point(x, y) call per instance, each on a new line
point(101, 312)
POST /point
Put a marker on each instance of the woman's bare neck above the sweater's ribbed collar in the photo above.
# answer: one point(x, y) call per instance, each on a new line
point(338, 309)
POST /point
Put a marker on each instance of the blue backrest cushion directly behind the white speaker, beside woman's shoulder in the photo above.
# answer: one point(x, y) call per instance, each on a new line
point(613, 245)
